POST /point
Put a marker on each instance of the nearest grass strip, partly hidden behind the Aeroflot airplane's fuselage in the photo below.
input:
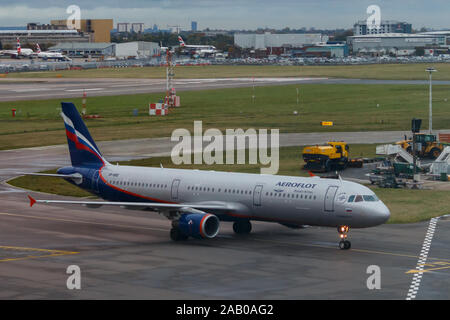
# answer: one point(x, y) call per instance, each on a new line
point(406, 206)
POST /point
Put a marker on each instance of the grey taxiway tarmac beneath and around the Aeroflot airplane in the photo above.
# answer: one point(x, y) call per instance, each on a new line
point(125, 254)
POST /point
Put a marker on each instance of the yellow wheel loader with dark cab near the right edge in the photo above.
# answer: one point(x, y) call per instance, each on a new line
point(426, 144)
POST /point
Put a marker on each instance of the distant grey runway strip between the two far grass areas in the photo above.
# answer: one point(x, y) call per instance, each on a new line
point(51, 88)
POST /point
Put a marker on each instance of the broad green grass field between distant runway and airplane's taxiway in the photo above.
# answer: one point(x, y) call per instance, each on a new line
point(350, 107)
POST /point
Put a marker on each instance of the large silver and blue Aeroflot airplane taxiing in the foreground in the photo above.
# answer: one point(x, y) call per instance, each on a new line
point(195, 201)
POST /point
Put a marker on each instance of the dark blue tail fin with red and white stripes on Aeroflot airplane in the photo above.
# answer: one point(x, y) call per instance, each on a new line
point(83, 150)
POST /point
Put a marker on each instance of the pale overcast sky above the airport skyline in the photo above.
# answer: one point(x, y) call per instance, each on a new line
point(231, 14)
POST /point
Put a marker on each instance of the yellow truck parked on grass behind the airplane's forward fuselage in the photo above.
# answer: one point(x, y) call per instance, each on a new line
point(332, 156)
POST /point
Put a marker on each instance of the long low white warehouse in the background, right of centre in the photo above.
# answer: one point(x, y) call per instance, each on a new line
point(269, 40)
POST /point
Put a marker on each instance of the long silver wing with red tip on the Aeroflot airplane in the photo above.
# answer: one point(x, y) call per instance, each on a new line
point(182, 207)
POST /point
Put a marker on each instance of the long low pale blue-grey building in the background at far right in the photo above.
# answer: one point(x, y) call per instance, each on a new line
point(376, 44)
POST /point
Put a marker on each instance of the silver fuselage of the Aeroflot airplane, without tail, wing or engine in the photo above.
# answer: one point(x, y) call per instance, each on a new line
point(283, 199)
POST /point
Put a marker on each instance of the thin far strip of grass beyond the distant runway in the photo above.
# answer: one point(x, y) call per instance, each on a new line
point(381, 71)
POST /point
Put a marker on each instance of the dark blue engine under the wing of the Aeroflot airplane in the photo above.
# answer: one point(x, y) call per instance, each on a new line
point(199, 225)
